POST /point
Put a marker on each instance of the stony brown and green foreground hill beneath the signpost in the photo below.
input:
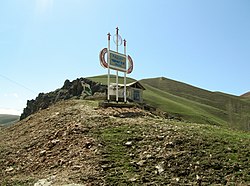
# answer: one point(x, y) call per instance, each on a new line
point(74, 141)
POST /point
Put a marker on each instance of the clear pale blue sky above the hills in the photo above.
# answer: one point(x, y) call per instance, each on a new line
point(44, 42)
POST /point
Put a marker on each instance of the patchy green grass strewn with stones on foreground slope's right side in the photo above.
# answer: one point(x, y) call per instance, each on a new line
point(217, 154)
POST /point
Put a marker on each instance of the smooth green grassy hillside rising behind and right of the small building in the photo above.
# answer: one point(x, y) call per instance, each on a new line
point(196, 104)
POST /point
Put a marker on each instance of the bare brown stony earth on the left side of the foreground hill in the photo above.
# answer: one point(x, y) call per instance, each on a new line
point(57, 141)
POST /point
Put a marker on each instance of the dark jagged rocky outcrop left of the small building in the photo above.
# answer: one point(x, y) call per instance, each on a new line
point(80, 88)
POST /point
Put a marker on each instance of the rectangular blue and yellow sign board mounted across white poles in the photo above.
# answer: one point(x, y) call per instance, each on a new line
point(117, 61)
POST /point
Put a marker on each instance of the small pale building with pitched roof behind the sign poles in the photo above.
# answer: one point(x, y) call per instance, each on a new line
point(134, 91)
